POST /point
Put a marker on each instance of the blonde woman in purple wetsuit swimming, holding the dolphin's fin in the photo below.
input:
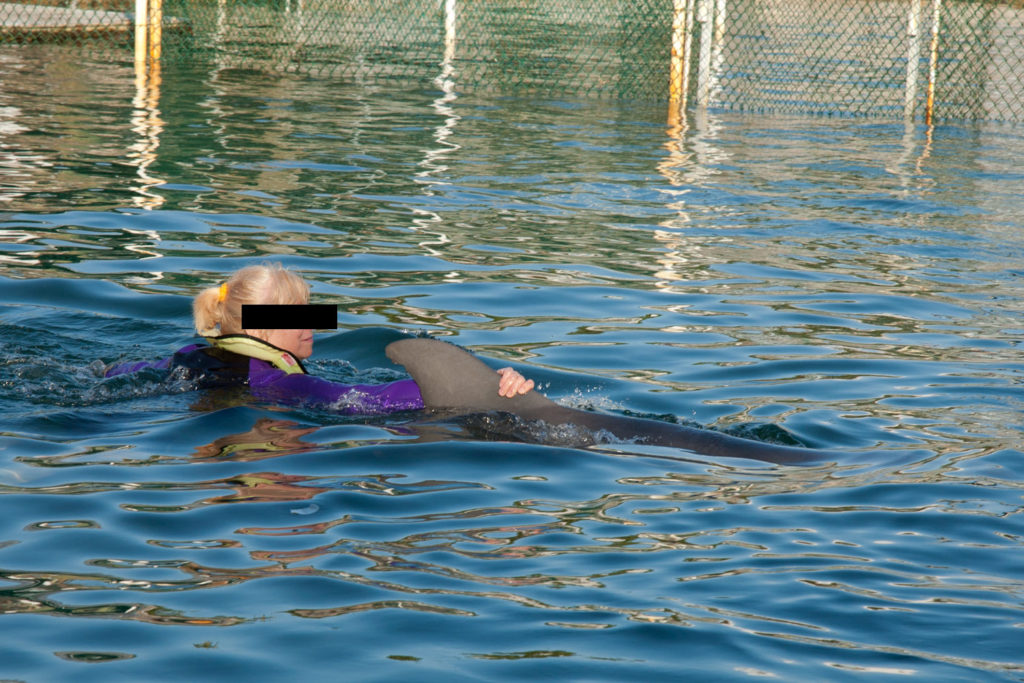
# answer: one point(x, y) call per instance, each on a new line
point(270, 362)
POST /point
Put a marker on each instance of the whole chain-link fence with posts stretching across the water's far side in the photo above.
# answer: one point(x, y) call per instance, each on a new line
point(961, 60)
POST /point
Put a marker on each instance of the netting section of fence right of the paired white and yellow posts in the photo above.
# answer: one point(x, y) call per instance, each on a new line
point(868, 57)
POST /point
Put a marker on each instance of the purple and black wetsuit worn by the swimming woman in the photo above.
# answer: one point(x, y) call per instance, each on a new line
point(218, 368)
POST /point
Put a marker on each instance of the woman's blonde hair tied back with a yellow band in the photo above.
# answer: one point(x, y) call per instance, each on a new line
point(268, 284)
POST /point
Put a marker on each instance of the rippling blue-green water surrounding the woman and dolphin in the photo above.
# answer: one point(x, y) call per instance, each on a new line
point(849, 285)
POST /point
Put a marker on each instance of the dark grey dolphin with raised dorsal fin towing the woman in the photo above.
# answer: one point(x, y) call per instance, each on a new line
point(452, 379)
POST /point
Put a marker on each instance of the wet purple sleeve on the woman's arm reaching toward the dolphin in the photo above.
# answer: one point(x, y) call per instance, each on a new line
point(347, 399)
